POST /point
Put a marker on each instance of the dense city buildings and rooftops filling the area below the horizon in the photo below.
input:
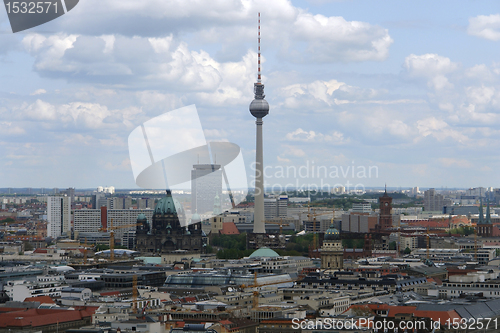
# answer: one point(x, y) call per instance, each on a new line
point(174, 274)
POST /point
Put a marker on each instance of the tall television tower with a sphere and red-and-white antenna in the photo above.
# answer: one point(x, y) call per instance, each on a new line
point(259, 108)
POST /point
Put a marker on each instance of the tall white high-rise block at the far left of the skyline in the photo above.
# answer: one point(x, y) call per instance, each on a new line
point(58, 216)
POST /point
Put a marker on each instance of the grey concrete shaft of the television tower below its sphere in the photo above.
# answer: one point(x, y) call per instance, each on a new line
point(259, 224)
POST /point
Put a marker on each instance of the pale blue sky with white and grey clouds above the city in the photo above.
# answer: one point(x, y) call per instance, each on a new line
point(410, 90)
